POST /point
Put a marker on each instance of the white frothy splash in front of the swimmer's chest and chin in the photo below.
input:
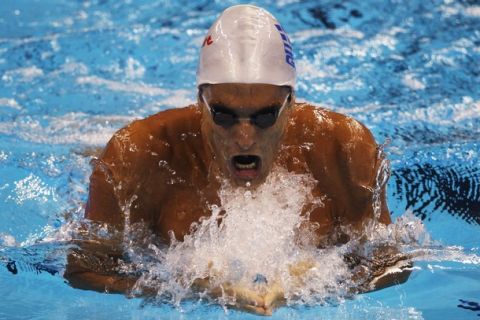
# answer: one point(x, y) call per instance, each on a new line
point(254, 233)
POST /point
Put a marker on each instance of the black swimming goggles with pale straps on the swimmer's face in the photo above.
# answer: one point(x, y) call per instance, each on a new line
point(263, 119)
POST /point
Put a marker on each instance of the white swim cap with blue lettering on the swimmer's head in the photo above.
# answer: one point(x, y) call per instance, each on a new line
point(246, 44)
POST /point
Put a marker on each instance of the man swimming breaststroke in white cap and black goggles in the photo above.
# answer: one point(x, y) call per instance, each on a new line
point(167, 169)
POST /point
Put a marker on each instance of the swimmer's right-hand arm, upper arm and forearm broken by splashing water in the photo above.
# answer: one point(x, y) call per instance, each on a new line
point(385, 266)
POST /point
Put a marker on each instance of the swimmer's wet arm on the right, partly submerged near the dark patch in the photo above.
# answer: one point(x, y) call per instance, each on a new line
point(361, 162)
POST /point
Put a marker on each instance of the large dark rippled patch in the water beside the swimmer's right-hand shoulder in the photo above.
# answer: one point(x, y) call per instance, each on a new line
point(427, 188)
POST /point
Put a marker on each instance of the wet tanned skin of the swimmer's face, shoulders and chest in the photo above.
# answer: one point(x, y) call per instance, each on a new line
point(166, 170)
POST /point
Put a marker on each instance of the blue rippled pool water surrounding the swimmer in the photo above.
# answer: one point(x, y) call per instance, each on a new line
point(73, 72)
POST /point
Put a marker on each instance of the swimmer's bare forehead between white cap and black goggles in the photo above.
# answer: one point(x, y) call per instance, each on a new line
point(245, 94)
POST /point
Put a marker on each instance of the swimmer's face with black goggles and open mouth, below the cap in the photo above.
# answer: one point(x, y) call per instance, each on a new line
point(243, 125)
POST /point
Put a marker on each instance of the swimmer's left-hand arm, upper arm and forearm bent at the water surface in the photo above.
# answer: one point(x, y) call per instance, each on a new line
point(106, 193)
